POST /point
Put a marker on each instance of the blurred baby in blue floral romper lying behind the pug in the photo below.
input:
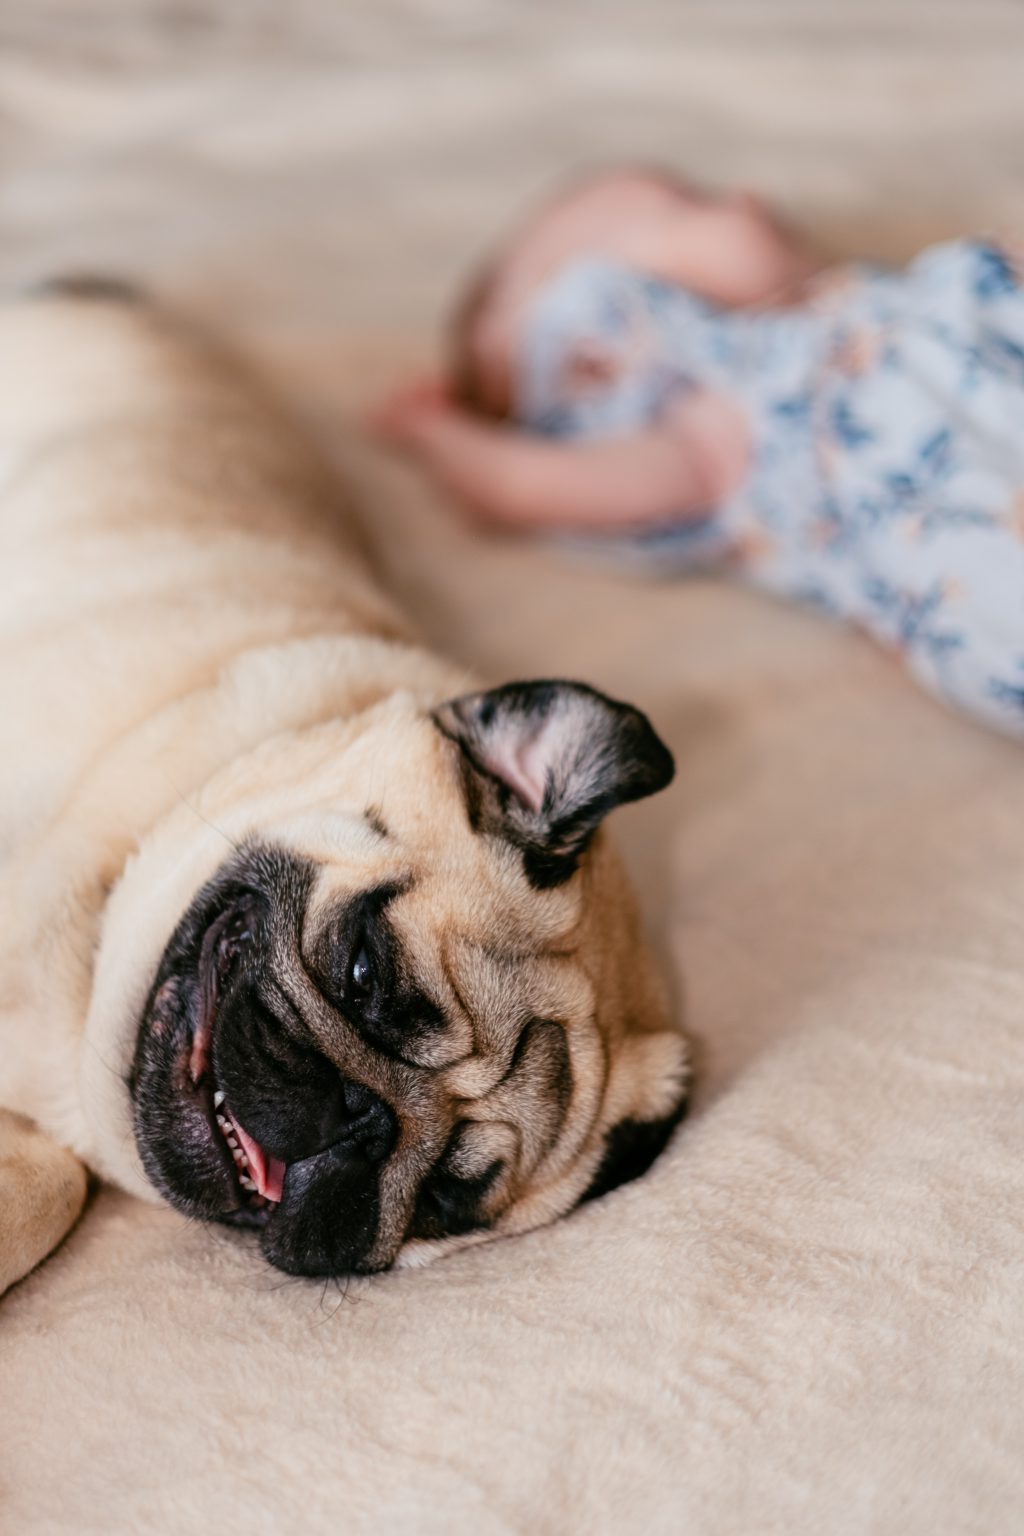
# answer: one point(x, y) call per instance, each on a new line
point(681, 376)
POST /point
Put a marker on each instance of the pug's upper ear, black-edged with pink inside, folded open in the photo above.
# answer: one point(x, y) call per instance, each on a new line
point(544, 763)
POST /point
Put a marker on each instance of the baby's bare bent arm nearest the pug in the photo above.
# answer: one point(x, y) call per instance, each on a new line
point(675, 471)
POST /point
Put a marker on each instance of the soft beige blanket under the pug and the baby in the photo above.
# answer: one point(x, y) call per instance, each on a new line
point(811, 1317)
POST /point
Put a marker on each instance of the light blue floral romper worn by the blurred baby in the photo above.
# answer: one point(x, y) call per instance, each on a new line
point(888, 468)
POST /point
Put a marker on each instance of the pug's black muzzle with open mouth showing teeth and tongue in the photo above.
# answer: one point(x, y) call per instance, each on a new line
point(239, 1117)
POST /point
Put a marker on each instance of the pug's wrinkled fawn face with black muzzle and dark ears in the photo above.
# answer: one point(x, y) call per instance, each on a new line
point(435, 1036)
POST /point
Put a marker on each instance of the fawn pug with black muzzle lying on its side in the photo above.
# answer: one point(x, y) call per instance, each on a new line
point(302, 932)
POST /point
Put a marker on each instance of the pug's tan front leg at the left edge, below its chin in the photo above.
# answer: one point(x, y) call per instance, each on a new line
point(42, 1194)
